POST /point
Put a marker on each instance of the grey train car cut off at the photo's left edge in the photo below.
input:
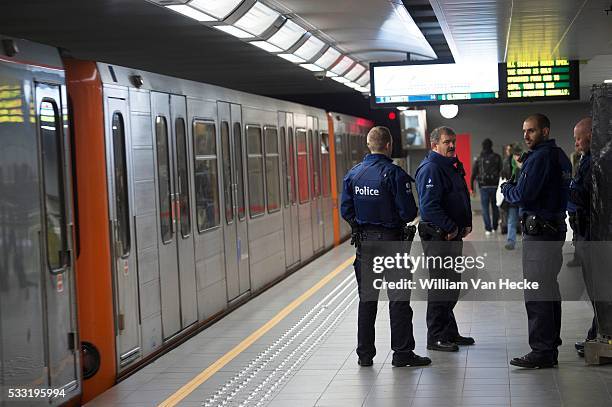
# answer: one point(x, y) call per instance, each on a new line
point(40, 360)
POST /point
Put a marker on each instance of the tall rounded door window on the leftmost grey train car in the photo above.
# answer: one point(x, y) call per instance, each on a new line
point(53, 164)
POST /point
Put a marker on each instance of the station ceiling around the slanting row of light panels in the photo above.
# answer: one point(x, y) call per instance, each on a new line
point(143, 35)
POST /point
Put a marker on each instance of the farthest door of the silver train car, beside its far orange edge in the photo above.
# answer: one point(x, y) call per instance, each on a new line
point(314, 154)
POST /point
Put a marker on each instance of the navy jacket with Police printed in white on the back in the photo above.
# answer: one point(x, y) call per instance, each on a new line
point(377, 192)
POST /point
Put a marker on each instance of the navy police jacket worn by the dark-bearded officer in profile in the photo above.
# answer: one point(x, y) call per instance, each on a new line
point(543, 187)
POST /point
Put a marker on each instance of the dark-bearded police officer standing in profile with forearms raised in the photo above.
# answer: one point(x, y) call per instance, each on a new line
point(541, 194)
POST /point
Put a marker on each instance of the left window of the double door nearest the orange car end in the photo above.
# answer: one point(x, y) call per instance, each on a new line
point(163, 177)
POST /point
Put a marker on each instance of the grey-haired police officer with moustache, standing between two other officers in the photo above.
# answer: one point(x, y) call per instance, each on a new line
point(446, 218)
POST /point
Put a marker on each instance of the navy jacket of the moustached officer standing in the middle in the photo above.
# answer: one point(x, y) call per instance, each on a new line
point(444, 199)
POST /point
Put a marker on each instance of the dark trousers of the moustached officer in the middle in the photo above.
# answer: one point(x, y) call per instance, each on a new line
point(441, 323)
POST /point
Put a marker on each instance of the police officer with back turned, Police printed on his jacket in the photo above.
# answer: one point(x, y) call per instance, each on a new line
point(377, 202)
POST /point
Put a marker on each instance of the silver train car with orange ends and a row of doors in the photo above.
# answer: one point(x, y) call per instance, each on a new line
point(191, 198)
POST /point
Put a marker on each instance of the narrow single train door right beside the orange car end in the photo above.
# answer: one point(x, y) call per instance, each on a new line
point(123, 246)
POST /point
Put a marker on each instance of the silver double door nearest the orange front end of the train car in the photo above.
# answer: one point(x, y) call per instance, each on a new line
point(176, 245)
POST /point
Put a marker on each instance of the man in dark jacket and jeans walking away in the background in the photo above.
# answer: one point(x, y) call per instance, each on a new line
point(487, 169)
